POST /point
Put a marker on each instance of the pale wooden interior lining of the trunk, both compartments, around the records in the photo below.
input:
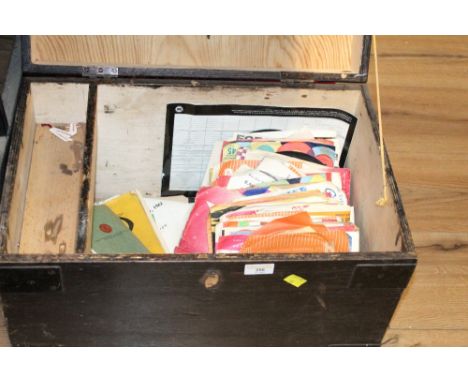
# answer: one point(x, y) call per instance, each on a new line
point(129, 138)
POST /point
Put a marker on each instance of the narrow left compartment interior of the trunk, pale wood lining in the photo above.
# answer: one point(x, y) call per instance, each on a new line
point(43, 210)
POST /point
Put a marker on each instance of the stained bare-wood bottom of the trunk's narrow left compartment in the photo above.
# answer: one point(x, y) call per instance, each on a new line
point(50, 220)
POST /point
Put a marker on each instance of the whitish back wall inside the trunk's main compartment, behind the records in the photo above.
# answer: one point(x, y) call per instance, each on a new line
point(131, 124)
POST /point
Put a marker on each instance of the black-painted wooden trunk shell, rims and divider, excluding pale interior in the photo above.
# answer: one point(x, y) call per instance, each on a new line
point(199, 300)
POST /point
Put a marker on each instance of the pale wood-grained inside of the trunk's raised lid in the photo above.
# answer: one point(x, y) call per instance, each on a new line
point(320, 54)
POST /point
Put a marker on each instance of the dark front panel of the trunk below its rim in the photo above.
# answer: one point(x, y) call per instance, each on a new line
point(206, 304)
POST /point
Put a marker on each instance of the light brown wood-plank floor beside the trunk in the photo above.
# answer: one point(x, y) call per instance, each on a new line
point(424, 93)
